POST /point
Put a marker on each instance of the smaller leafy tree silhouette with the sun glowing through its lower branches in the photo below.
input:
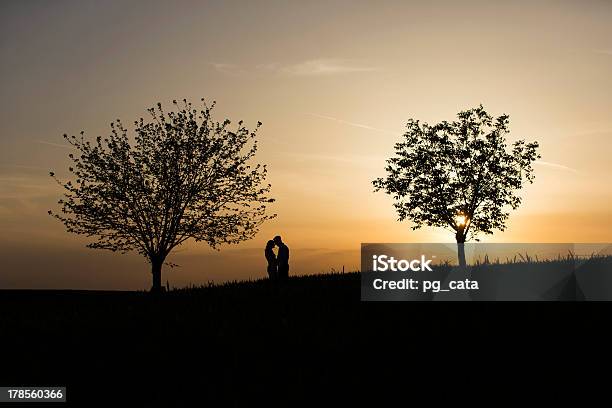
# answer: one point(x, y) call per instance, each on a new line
point(458, 175)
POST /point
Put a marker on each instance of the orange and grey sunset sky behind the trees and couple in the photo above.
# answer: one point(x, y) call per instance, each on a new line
point(334, 83)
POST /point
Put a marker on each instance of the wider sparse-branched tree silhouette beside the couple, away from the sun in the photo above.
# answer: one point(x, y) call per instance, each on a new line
point(184, 176)
